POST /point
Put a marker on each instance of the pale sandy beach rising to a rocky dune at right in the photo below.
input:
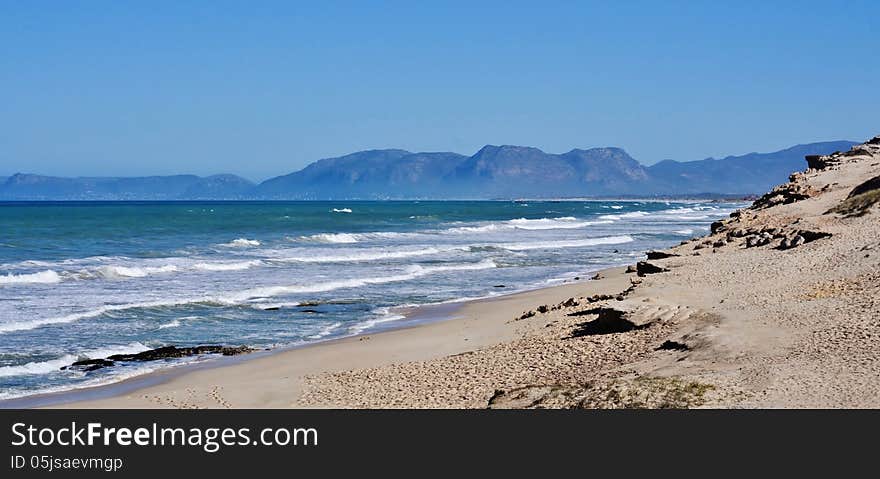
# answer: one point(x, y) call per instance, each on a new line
point(778, 307)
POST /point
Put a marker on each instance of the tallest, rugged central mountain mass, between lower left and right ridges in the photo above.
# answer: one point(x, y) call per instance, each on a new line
point(493, 172)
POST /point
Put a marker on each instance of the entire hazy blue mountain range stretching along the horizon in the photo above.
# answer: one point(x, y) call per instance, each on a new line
point(494, 172)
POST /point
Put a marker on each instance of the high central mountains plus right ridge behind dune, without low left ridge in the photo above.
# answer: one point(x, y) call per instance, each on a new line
point(519, 171)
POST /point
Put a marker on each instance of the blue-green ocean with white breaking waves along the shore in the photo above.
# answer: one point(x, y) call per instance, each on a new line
point(88, 280)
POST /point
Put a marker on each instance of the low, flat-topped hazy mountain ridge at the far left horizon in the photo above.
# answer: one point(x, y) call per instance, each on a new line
point(37, 187)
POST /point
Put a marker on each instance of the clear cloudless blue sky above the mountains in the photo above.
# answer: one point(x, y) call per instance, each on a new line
point(263, 88)
